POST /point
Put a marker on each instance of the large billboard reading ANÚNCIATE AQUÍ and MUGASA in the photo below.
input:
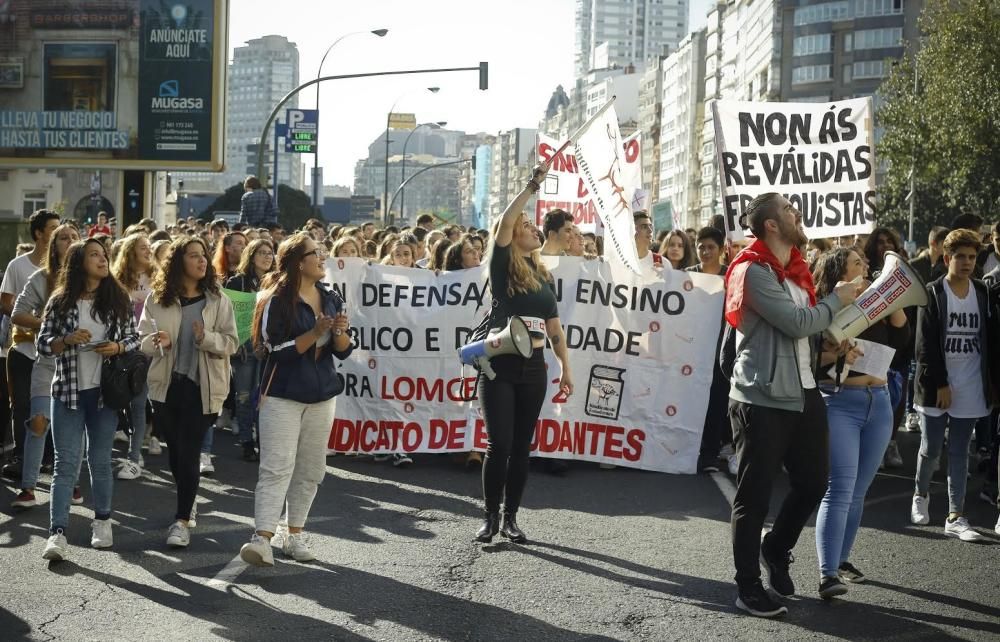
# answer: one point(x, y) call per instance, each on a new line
point(137, 84)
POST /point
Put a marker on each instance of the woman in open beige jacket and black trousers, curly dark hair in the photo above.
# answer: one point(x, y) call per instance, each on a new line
point(189, 329)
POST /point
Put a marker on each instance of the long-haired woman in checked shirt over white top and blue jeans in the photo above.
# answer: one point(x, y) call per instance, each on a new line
point(88, 318)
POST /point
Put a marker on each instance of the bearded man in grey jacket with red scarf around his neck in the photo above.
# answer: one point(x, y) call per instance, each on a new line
point(778, 416)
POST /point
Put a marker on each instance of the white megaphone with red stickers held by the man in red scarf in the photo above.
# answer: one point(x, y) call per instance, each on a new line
point(898, 286)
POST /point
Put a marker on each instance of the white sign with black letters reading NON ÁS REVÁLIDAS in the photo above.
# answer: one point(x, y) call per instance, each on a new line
point(819, 155)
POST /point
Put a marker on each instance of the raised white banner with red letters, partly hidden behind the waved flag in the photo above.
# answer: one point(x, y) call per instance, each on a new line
point(565, 189)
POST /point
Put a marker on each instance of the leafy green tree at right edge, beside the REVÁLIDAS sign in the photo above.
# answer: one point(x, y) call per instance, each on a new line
point(946, 126)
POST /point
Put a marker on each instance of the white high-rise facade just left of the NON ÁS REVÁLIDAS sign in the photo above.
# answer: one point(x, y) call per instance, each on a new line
point(681, 130)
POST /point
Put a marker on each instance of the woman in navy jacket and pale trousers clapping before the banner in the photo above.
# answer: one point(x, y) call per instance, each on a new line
point(303, 325)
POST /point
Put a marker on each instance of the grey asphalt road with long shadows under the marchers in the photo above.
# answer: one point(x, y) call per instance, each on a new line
point(614, 554)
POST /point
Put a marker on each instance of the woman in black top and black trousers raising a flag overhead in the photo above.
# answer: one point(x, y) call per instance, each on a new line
point(510, 401)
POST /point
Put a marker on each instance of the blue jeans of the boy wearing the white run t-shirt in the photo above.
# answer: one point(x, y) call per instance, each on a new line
point(931, 439)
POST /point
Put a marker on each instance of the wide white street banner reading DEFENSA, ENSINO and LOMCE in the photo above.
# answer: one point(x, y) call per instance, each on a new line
point(640, 348)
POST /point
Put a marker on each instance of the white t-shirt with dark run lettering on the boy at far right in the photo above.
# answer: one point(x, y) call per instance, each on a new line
point(962, 357)
